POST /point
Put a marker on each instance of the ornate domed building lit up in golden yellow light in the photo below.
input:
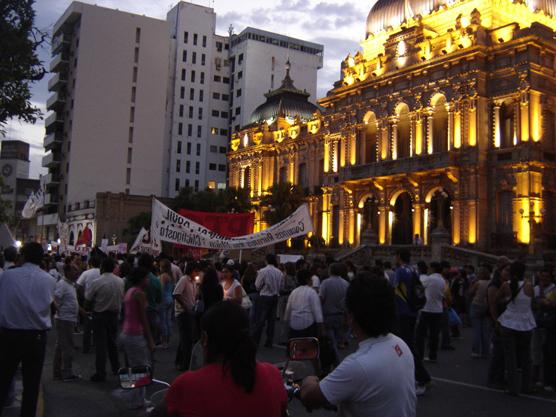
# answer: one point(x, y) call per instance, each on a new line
point(442, 125)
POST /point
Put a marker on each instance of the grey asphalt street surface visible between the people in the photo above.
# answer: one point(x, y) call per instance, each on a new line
point(458, 389)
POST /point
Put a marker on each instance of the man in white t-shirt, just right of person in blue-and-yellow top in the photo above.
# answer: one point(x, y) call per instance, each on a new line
point(431, 314)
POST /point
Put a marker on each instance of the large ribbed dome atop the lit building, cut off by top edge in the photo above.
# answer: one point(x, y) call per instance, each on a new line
point(387, 13)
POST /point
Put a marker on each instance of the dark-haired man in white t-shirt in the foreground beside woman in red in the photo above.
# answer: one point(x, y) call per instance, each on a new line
point(378, 380)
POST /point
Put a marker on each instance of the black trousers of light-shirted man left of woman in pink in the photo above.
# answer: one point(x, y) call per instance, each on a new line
point(105, 331)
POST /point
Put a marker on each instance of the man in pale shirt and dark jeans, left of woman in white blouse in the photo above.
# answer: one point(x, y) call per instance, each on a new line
point(269, 282)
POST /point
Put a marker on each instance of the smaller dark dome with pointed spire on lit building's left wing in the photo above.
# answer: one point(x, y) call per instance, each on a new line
point(286, 101)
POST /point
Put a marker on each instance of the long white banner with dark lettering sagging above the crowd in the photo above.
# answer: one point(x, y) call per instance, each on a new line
point(169, 226)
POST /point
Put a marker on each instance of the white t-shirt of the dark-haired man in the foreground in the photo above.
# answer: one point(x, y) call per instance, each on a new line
point(378, 380)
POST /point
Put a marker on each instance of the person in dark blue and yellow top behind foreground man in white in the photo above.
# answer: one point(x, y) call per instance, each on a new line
point(410, 299)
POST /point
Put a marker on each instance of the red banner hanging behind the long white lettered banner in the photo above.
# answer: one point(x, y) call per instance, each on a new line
point(225, 224)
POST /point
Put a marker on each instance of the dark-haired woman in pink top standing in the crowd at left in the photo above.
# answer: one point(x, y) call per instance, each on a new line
point(136, 339)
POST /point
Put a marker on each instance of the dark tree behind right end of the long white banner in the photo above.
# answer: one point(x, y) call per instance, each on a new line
point(281, 201)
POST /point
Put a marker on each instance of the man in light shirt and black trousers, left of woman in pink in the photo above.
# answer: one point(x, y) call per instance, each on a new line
point(105, 295)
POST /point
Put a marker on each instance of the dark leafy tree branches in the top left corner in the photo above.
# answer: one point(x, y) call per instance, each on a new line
point(19, 63)
